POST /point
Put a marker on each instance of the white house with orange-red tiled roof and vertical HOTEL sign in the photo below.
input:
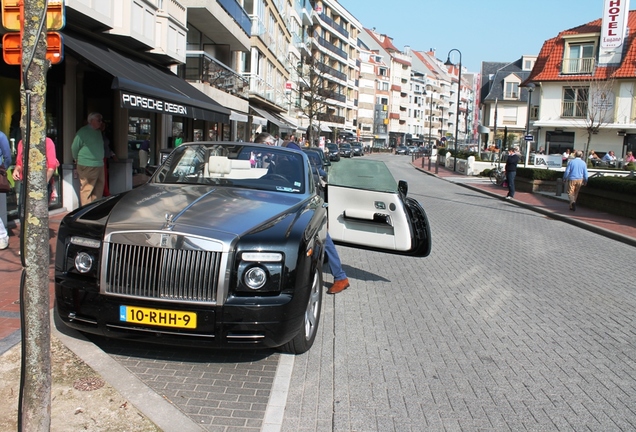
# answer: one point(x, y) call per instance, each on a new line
point(585, 82)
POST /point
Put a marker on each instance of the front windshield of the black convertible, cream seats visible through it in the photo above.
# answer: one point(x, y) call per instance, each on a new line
point(251, 166)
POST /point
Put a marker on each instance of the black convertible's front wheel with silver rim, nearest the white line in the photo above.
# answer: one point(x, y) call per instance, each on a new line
point(307, 333)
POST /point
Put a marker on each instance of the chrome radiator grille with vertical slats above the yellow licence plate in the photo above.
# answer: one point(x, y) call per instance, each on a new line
point(162, 273)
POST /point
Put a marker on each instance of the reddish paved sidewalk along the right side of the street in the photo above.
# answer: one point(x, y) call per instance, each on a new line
point(618, 228)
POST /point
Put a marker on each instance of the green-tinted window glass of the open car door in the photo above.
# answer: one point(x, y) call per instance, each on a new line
point(368, 175)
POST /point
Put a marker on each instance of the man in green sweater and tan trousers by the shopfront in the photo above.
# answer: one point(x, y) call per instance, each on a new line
point(88, 153)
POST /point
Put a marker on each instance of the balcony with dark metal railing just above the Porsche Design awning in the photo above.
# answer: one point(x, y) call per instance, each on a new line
point(200, 67)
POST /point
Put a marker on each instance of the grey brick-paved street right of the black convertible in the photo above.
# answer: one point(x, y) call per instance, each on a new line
point(515, 322)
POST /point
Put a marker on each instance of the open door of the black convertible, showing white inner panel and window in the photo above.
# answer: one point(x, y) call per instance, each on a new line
point(370, 210)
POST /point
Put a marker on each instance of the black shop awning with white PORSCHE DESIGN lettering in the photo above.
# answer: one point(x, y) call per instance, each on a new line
point(148, 87)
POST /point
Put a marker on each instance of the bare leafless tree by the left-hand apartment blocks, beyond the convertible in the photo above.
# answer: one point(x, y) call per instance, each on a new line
point(314, 91)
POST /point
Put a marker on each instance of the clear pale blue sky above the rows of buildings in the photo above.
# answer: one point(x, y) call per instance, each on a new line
point(482, 30)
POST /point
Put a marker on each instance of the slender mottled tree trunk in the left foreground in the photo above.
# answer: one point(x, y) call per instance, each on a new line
point(35, 392)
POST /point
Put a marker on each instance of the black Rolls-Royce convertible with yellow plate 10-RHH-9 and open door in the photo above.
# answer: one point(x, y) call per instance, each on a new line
point(207, 253)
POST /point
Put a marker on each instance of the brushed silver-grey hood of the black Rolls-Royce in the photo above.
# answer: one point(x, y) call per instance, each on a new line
point(199, 210)
